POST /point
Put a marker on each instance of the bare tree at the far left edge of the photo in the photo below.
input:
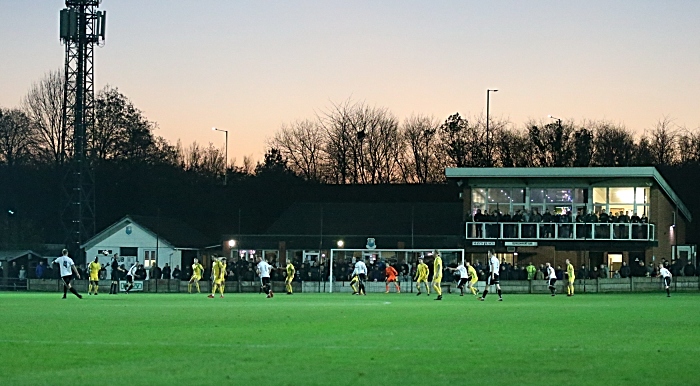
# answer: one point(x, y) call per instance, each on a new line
point(16, 137)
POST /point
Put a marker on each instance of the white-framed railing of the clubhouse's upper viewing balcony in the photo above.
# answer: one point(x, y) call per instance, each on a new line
point(560, 231)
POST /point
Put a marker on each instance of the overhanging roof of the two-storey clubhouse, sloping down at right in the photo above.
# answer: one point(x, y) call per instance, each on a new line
point(592, 173)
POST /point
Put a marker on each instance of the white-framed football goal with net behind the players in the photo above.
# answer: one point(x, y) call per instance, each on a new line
point(405, 261)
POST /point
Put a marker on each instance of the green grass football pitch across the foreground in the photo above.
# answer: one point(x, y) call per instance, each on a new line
point(334, 339)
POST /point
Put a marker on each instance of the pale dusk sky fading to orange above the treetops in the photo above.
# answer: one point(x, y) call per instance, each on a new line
point(251, 66)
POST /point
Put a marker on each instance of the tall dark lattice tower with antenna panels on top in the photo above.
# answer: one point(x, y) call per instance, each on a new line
point(82, 26)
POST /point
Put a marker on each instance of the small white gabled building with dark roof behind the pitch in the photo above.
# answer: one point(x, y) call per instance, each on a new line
point(150, 240)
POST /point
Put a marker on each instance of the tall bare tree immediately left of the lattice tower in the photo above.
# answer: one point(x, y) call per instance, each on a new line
point(43, 105)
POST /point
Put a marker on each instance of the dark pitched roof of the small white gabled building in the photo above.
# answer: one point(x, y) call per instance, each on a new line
point(175, 232)
